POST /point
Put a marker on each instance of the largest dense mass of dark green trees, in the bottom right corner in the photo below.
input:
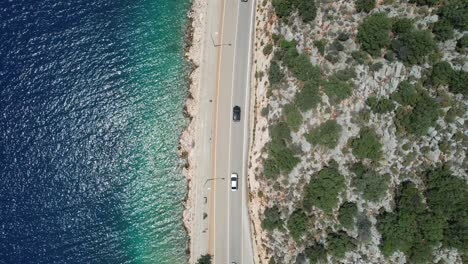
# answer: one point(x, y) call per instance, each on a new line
point(415, 228)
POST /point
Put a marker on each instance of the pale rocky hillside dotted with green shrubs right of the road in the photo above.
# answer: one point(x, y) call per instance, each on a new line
point(360, 138)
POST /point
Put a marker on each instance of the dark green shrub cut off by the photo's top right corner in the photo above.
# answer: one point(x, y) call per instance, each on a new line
point(456, 12)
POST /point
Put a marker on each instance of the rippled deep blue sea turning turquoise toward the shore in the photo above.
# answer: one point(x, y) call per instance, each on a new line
point(91, 98)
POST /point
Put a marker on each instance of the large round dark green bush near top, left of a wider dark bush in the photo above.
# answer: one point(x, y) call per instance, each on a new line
point(373, 33)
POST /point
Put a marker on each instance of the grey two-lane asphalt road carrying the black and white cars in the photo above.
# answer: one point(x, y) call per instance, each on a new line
point(230, 236)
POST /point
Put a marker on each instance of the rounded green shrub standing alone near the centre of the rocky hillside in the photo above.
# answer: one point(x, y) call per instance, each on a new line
point(367, 145)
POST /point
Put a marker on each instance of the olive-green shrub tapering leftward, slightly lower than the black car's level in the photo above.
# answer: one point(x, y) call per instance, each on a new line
point(326, 134)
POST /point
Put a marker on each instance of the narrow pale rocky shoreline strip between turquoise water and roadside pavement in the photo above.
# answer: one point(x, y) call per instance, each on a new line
point(193, 48)
